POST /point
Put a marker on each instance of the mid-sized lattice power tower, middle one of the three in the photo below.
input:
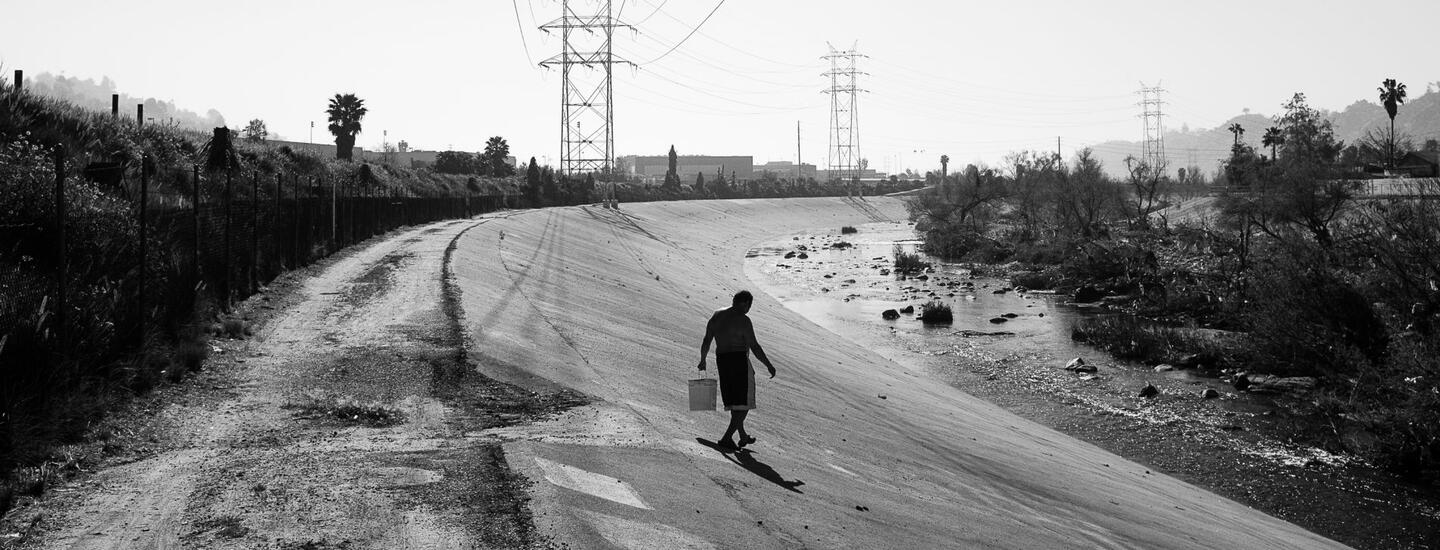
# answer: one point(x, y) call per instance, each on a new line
point(845, 120)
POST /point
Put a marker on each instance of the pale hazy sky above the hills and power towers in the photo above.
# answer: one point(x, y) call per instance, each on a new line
point(973, 80)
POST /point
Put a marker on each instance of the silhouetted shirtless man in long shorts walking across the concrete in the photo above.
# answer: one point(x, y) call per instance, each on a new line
point(735, 339)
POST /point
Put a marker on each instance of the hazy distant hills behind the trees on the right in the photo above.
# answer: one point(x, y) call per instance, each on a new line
point(1206, 148)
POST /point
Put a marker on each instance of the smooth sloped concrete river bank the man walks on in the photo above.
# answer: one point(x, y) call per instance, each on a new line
point(856, 451)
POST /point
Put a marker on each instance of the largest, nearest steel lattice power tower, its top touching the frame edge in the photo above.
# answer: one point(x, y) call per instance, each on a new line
point(587, 102)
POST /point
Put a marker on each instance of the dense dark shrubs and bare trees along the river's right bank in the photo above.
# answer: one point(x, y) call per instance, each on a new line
point(1297, 279)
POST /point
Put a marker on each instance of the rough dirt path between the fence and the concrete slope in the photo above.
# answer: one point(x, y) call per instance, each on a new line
point(352, 421)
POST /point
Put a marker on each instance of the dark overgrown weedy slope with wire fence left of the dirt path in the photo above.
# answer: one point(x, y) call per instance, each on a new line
point(89, 322)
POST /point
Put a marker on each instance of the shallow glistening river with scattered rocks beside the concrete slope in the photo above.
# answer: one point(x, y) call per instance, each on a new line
point(1012, 349)
